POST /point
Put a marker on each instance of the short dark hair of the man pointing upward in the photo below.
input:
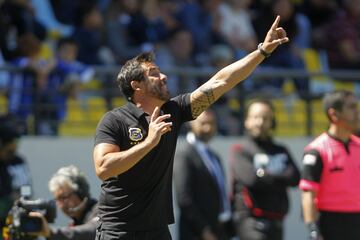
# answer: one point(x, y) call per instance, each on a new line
point(133, 70)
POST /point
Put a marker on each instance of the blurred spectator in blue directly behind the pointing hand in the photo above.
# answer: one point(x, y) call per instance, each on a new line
point(289, 56)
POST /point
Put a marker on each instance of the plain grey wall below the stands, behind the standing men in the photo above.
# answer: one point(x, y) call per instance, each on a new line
point(46, 155)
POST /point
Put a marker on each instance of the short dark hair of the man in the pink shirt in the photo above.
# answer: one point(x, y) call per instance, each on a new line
point(336, 100)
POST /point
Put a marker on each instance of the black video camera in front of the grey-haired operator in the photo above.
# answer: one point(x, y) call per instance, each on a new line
point(19, 225)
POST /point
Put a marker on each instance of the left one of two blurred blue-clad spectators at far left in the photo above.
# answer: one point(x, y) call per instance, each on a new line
point(28, 88)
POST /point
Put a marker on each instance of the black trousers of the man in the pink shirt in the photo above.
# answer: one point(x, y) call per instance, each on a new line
point(339, 226)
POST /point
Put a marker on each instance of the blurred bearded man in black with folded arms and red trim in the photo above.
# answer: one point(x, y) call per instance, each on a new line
point(262, 172)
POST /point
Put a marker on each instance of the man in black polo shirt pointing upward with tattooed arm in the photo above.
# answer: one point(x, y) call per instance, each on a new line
point(135, 144)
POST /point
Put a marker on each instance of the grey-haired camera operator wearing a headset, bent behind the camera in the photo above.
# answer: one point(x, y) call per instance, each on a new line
point(71, 192)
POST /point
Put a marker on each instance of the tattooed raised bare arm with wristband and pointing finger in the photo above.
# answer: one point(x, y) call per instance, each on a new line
point(236, 72)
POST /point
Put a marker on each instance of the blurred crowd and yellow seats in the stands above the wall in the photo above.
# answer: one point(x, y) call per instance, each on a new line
point(59, 59)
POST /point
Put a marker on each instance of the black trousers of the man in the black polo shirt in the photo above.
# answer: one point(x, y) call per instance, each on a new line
point(158, 234)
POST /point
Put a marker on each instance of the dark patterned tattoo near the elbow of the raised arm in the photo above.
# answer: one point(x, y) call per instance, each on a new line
point(202, 101)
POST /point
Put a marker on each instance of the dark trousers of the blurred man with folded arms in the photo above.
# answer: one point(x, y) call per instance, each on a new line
point(251, 228)
